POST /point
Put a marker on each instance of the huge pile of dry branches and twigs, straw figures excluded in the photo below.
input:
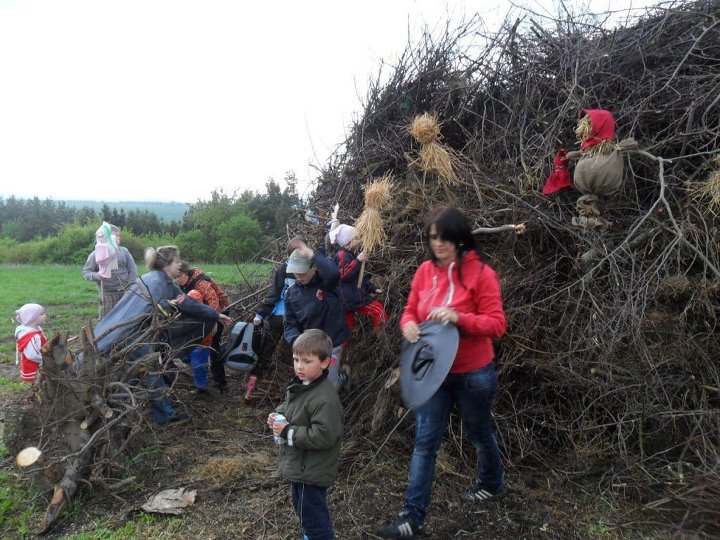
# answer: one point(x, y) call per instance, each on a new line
point(610, 363)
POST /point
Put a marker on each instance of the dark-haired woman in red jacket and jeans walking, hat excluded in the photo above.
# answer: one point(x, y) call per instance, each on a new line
point(456, 286)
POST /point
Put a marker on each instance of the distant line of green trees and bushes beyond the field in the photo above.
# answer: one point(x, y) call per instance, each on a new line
point(224, 229)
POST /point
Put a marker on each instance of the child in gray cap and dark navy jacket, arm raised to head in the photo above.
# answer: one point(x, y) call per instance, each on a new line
point(312, 302)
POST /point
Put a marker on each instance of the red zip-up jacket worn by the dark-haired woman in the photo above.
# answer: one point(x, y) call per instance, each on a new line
point(476, 299)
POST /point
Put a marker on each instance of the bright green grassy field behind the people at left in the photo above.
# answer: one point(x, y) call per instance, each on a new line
point(71, 302)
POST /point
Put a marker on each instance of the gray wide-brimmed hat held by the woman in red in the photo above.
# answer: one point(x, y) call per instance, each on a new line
point(425, 363)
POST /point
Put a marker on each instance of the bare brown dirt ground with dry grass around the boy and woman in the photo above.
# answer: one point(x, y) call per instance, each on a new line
point(225, 452)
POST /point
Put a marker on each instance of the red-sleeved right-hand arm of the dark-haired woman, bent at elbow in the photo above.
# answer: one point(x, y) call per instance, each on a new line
point(488, 318)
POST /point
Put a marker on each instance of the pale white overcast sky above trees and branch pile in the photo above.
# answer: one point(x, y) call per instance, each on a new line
point(162, 100)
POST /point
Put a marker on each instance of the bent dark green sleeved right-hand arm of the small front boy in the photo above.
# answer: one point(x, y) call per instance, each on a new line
point(323, 432)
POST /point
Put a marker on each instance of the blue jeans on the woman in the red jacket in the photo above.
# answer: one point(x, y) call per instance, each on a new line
point(474, 393)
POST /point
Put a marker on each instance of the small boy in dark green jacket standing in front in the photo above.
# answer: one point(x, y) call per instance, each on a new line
point(311, 433)
